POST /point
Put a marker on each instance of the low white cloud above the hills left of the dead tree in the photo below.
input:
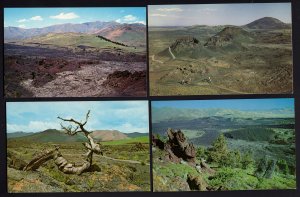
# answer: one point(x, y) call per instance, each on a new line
point(33, 126)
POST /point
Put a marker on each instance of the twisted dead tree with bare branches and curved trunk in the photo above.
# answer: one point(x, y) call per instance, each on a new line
point(63, 165)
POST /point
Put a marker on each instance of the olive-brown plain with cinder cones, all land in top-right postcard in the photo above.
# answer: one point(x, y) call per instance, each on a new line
point(214, 60)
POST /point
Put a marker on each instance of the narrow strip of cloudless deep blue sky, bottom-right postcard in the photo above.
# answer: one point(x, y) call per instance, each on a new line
point(238, 104)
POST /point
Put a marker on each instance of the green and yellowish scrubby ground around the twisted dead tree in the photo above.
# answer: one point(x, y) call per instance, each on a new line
point(124, 166)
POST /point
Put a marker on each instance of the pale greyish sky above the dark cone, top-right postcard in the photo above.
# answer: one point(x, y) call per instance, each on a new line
point(216, 14)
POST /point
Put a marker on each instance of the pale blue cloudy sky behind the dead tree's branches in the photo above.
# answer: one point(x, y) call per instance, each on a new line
point(125, 116)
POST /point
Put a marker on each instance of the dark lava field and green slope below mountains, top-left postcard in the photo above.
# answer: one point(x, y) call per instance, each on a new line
point(101, 64)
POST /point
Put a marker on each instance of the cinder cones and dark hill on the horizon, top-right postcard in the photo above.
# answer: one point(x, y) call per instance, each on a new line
point(226, 38)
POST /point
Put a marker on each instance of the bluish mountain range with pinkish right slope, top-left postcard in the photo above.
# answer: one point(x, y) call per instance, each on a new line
point(112, 30)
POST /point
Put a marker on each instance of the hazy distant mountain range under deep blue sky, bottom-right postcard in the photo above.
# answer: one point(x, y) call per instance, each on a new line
point(170, 114)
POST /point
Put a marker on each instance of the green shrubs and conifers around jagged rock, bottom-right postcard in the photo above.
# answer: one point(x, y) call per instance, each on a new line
point(247, 161)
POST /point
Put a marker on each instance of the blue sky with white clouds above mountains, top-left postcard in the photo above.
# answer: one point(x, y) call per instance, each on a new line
point(42, 17)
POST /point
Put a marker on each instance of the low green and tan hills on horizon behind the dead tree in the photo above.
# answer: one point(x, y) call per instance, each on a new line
point(53, 135)
